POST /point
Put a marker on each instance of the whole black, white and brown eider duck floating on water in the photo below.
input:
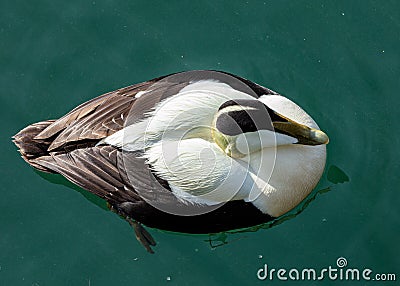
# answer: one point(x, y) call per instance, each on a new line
point(193, 152)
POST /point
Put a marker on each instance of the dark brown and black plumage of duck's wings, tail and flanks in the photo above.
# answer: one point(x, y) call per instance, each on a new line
point(69, 146)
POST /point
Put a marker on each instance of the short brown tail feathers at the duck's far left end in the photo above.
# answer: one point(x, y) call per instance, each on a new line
point(31, 148)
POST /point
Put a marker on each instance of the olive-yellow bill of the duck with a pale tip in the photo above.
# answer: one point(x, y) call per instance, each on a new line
point(305, 135)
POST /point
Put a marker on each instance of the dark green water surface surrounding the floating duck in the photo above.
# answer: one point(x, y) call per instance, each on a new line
point(339, 60)
